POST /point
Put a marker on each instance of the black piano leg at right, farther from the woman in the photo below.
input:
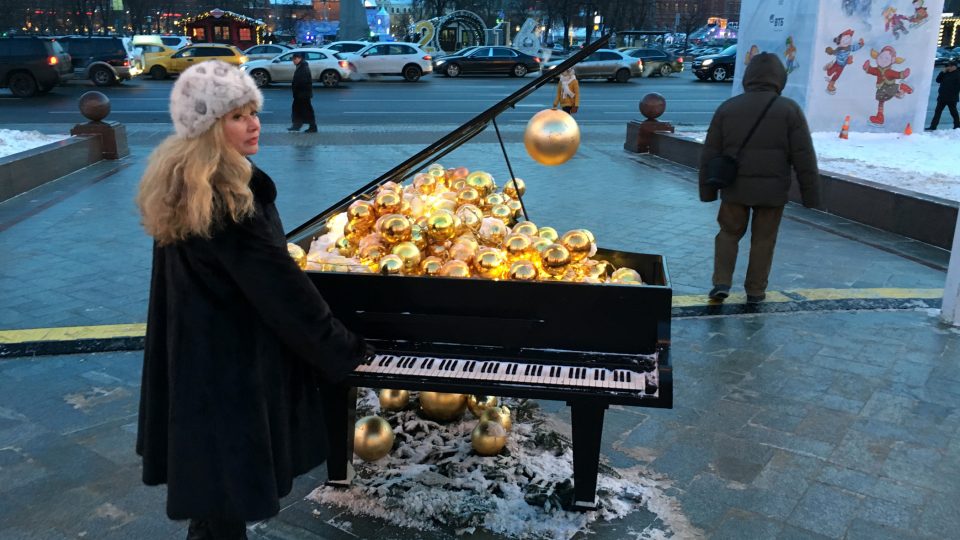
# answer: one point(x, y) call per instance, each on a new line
point(587, 424)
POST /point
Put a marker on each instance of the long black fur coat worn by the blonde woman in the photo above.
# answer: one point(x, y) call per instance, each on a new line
point(239, 346)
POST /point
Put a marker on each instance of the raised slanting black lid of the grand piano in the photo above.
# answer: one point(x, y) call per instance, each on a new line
point(449, 142)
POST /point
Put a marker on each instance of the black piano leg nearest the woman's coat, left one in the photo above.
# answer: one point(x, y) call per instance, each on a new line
point(340, 411)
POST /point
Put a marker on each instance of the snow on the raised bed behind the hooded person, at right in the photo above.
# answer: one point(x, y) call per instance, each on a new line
point(925, 162)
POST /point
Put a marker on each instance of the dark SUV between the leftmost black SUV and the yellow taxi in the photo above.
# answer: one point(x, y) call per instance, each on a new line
point(105, 60)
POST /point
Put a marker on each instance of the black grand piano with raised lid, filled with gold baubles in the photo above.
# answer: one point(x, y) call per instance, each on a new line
point(590, 345)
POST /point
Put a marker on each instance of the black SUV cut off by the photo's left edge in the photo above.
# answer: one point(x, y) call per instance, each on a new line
point(31, 65)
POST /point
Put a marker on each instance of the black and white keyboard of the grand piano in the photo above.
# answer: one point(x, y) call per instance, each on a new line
point(511, 372)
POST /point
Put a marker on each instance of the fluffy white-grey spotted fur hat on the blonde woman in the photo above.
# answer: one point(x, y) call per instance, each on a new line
point(205, 92)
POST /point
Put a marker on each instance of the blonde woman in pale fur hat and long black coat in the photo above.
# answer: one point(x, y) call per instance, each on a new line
point(239, 343)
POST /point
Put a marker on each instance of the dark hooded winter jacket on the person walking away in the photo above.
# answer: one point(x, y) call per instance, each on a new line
point(781, 142)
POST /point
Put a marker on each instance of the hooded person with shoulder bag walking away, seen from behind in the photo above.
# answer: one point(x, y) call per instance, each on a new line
point(780, 146)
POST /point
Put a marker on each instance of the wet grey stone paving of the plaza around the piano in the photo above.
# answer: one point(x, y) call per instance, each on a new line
point(831, 412)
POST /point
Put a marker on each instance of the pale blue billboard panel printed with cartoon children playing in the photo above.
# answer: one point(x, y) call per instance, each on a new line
point(871, 59)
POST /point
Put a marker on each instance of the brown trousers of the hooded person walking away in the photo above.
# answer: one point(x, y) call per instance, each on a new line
point(764, 225)
